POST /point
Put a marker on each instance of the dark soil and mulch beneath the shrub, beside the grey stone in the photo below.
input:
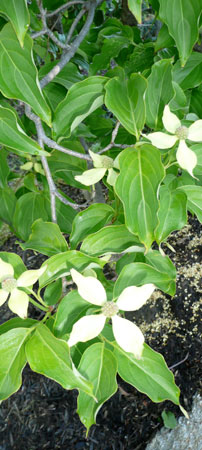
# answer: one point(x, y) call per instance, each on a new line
point(42, 415)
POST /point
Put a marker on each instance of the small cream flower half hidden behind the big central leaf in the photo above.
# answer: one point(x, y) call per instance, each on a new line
point(102, 164)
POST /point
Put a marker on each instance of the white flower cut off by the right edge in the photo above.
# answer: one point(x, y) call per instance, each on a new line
point(186, 158)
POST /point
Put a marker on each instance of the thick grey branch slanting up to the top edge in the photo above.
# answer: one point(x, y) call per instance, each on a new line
point(71, 52)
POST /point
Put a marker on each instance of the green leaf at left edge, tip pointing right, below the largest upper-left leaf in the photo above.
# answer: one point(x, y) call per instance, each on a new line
point(12, 136)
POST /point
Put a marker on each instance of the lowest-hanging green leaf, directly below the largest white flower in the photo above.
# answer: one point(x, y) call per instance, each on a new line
point(99, 365)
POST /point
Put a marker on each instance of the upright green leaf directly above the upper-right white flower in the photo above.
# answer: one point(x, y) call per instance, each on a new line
point(159, 92)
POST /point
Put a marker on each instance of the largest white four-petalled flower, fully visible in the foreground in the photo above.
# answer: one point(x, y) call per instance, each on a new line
point(127, 334)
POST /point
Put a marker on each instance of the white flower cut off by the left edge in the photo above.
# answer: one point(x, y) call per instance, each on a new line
point(18, 299)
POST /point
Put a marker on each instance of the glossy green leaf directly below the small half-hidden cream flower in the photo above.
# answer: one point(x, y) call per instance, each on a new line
point(89, 221)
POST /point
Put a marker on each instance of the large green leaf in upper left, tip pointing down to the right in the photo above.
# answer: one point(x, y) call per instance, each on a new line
point(19, 61)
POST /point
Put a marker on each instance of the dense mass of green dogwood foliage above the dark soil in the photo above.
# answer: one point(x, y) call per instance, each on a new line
point(74, 78)
